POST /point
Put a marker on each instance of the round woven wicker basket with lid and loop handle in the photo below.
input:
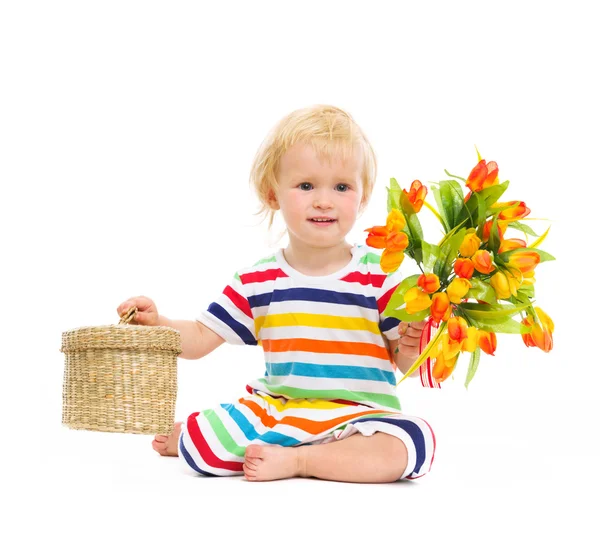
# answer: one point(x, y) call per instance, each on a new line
point(121, 378)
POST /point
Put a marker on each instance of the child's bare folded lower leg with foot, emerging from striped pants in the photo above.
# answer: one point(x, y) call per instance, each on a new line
point(377, 458)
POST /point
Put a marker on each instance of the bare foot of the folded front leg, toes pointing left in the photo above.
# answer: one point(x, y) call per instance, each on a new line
point(265, 462)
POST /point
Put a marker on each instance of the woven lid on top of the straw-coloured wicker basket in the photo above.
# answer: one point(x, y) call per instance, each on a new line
point(122, 336)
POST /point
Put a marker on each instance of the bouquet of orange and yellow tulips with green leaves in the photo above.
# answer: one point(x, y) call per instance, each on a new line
point(475, 282)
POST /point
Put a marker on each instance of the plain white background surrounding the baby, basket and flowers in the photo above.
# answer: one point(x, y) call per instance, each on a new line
point(127, 130)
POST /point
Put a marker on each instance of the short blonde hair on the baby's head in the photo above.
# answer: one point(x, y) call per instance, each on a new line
point(331, 131)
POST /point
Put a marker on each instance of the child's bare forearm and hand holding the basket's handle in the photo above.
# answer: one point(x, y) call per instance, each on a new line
point(197, 340)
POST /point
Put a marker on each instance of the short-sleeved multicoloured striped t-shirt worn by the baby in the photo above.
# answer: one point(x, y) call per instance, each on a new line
point(322, 336)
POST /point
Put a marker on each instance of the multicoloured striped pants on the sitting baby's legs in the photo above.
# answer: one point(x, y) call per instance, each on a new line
point(213, 442)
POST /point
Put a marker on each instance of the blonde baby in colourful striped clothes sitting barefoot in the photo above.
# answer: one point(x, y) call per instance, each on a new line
point(326, 406)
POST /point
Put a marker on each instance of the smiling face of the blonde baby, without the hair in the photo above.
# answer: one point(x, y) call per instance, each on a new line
point(310, 189)
